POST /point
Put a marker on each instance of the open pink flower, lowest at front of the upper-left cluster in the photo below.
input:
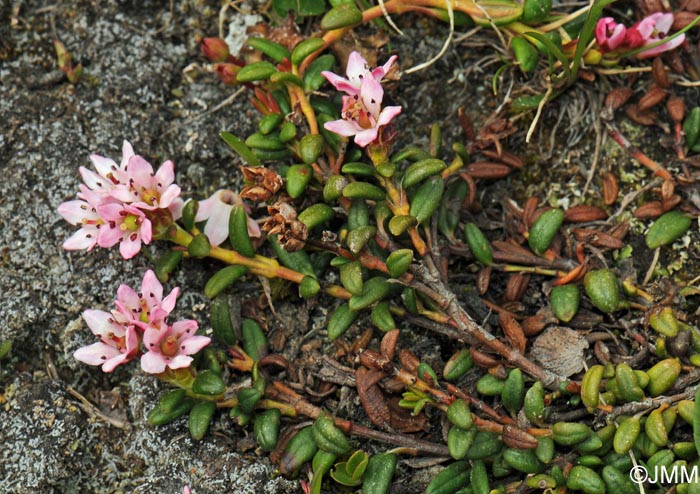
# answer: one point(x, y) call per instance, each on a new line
point(126, 225)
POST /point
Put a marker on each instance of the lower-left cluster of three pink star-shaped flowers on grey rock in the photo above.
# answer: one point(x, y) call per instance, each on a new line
point(140, 318)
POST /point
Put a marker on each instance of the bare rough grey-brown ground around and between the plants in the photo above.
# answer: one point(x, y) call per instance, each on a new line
point(135, 54)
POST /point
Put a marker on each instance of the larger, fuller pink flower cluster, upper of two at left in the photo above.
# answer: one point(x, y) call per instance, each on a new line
point(122, 203)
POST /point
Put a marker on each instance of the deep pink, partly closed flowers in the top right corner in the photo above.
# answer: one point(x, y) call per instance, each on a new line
point(612, 36)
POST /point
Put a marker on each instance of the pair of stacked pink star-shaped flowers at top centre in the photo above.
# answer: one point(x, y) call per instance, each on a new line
point(362, 113)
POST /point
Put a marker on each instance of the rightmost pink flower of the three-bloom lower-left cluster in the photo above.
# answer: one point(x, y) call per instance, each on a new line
point(171, 346)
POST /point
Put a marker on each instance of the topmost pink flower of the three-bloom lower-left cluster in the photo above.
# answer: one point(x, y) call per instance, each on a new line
point(147, 307)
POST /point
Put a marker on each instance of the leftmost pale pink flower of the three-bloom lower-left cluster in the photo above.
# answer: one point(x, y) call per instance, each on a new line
point(118, 343)
